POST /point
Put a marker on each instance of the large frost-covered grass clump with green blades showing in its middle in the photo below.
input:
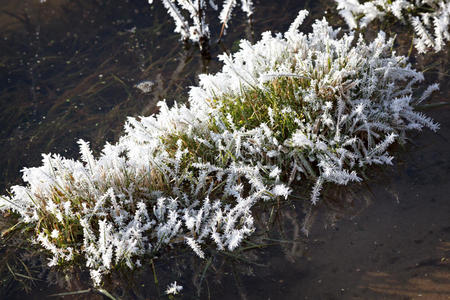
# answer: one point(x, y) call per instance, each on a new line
point(292, 109)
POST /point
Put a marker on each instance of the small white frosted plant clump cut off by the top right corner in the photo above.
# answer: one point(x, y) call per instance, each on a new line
point(429, 18)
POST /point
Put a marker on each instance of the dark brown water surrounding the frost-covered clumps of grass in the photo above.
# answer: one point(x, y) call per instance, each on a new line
point(68, 71)
